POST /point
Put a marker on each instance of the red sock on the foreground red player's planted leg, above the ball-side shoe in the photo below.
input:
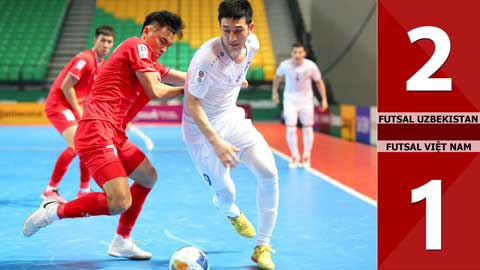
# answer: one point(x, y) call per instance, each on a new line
point(128, 219)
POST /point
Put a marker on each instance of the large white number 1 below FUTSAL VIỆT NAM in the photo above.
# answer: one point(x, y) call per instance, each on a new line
point(432, 193)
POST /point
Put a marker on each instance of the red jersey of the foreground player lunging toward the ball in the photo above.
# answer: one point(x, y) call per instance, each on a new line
point(117, 95)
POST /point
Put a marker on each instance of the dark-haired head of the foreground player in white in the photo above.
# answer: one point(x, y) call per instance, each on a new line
point(235, 18)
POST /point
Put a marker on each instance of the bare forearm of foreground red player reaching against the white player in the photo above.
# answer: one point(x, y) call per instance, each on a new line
point(156, 89)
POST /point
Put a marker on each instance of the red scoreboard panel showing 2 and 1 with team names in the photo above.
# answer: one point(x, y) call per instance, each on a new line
point(429, 134)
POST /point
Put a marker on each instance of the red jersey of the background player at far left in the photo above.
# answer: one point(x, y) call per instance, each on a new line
point(82, 67)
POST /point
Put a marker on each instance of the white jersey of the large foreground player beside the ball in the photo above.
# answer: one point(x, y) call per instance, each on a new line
point(216, 79)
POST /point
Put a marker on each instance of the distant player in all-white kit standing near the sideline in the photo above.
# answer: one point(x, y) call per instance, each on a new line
point(298, 101)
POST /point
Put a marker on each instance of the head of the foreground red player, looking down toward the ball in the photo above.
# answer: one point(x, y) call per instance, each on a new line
point(159, 30)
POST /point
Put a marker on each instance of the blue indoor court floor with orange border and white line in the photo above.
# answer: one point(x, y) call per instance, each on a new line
point(327, 216)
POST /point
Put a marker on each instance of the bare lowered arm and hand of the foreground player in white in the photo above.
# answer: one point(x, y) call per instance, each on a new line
point(224, 150)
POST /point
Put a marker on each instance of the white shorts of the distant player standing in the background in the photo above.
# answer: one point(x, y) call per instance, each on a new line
point(292, 110)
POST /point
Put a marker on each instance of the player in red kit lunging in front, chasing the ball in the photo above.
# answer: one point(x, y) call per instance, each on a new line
point(126, 82)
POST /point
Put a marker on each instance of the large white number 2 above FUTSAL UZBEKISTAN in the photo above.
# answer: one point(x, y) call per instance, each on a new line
point(421, 81)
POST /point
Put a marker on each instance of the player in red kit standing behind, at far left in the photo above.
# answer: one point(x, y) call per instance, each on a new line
point(64, 106)
